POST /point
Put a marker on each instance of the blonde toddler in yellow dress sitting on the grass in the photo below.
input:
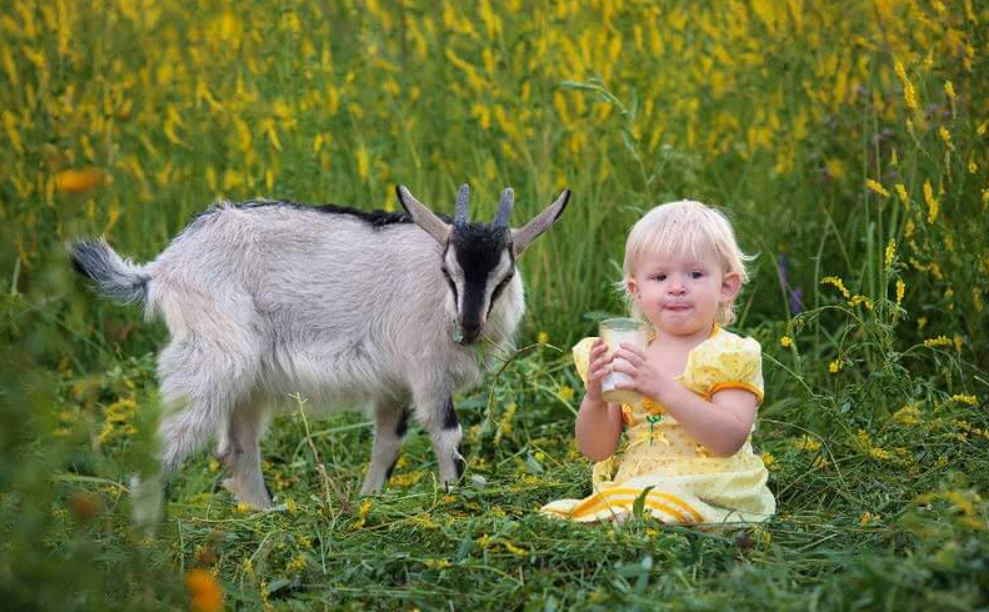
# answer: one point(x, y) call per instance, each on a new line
point(687, 453)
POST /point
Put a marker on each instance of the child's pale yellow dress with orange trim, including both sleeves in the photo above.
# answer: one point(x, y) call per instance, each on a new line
point(686, 484)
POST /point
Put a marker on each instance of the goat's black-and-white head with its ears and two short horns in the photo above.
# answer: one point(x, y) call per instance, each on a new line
point(479, 258)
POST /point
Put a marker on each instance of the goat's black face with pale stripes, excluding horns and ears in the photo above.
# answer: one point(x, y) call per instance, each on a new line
point(478, 249)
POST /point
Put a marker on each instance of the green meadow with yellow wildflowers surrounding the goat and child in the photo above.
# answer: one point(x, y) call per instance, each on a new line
point(847, 142)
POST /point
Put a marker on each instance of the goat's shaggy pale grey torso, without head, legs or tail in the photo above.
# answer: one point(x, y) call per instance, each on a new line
point(327, 299)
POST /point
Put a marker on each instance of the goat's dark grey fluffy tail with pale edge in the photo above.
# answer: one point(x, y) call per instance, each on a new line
point(115, 277)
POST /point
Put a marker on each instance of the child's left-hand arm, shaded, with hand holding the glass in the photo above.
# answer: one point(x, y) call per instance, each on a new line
point(599, 423)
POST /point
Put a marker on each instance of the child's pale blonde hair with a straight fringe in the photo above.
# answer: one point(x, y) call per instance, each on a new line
point(685, 228)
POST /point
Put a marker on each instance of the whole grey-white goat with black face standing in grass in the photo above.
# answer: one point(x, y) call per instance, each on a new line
point(349, 308)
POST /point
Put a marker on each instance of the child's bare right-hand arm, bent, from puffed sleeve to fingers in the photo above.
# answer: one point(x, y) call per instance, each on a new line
point(722, 424)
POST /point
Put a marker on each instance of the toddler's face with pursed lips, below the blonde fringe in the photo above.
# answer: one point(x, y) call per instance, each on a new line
point(680, 294)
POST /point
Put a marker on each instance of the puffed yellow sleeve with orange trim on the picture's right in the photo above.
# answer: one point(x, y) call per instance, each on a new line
point(733, 364)
